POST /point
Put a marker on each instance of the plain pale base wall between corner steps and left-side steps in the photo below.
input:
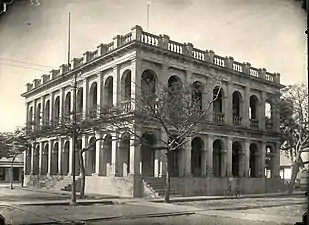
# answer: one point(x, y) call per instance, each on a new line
point(117, 186)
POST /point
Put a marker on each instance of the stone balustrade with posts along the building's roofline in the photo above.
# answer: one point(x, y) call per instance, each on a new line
point(163, 42)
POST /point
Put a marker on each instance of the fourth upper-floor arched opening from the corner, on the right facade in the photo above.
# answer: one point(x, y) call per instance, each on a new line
point(218, 115)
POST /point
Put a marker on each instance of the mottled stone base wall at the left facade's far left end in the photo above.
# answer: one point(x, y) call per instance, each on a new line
point(42, 180)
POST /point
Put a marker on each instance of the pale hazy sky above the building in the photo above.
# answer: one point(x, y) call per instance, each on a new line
point(267, 33)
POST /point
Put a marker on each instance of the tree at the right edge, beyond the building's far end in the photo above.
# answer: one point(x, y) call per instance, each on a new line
point(295, 127)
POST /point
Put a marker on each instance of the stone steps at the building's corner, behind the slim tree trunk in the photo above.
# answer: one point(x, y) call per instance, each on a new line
point(157, 186)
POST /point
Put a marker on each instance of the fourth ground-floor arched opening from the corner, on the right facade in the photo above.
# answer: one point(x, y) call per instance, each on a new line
point(218, 148)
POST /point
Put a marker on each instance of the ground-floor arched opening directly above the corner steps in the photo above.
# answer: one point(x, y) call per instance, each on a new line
point(148, 154)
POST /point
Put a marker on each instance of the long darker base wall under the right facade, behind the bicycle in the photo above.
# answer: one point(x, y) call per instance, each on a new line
point(217, 186)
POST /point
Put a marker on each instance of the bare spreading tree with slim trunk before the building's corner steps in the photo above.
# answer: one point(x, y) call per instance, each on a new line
point(179, 110)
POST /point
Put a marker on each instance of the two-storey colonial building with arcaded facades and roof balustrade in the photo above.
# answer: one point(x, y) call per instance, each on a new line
point(242, 141)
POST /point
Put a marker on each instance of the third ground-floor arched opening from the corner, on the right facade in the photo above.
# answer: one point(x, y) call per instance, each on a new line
point(197, 146)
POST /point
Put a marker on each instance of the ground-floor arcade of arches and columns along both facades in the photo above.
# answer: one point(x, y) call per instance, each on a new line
point(203, 156)
